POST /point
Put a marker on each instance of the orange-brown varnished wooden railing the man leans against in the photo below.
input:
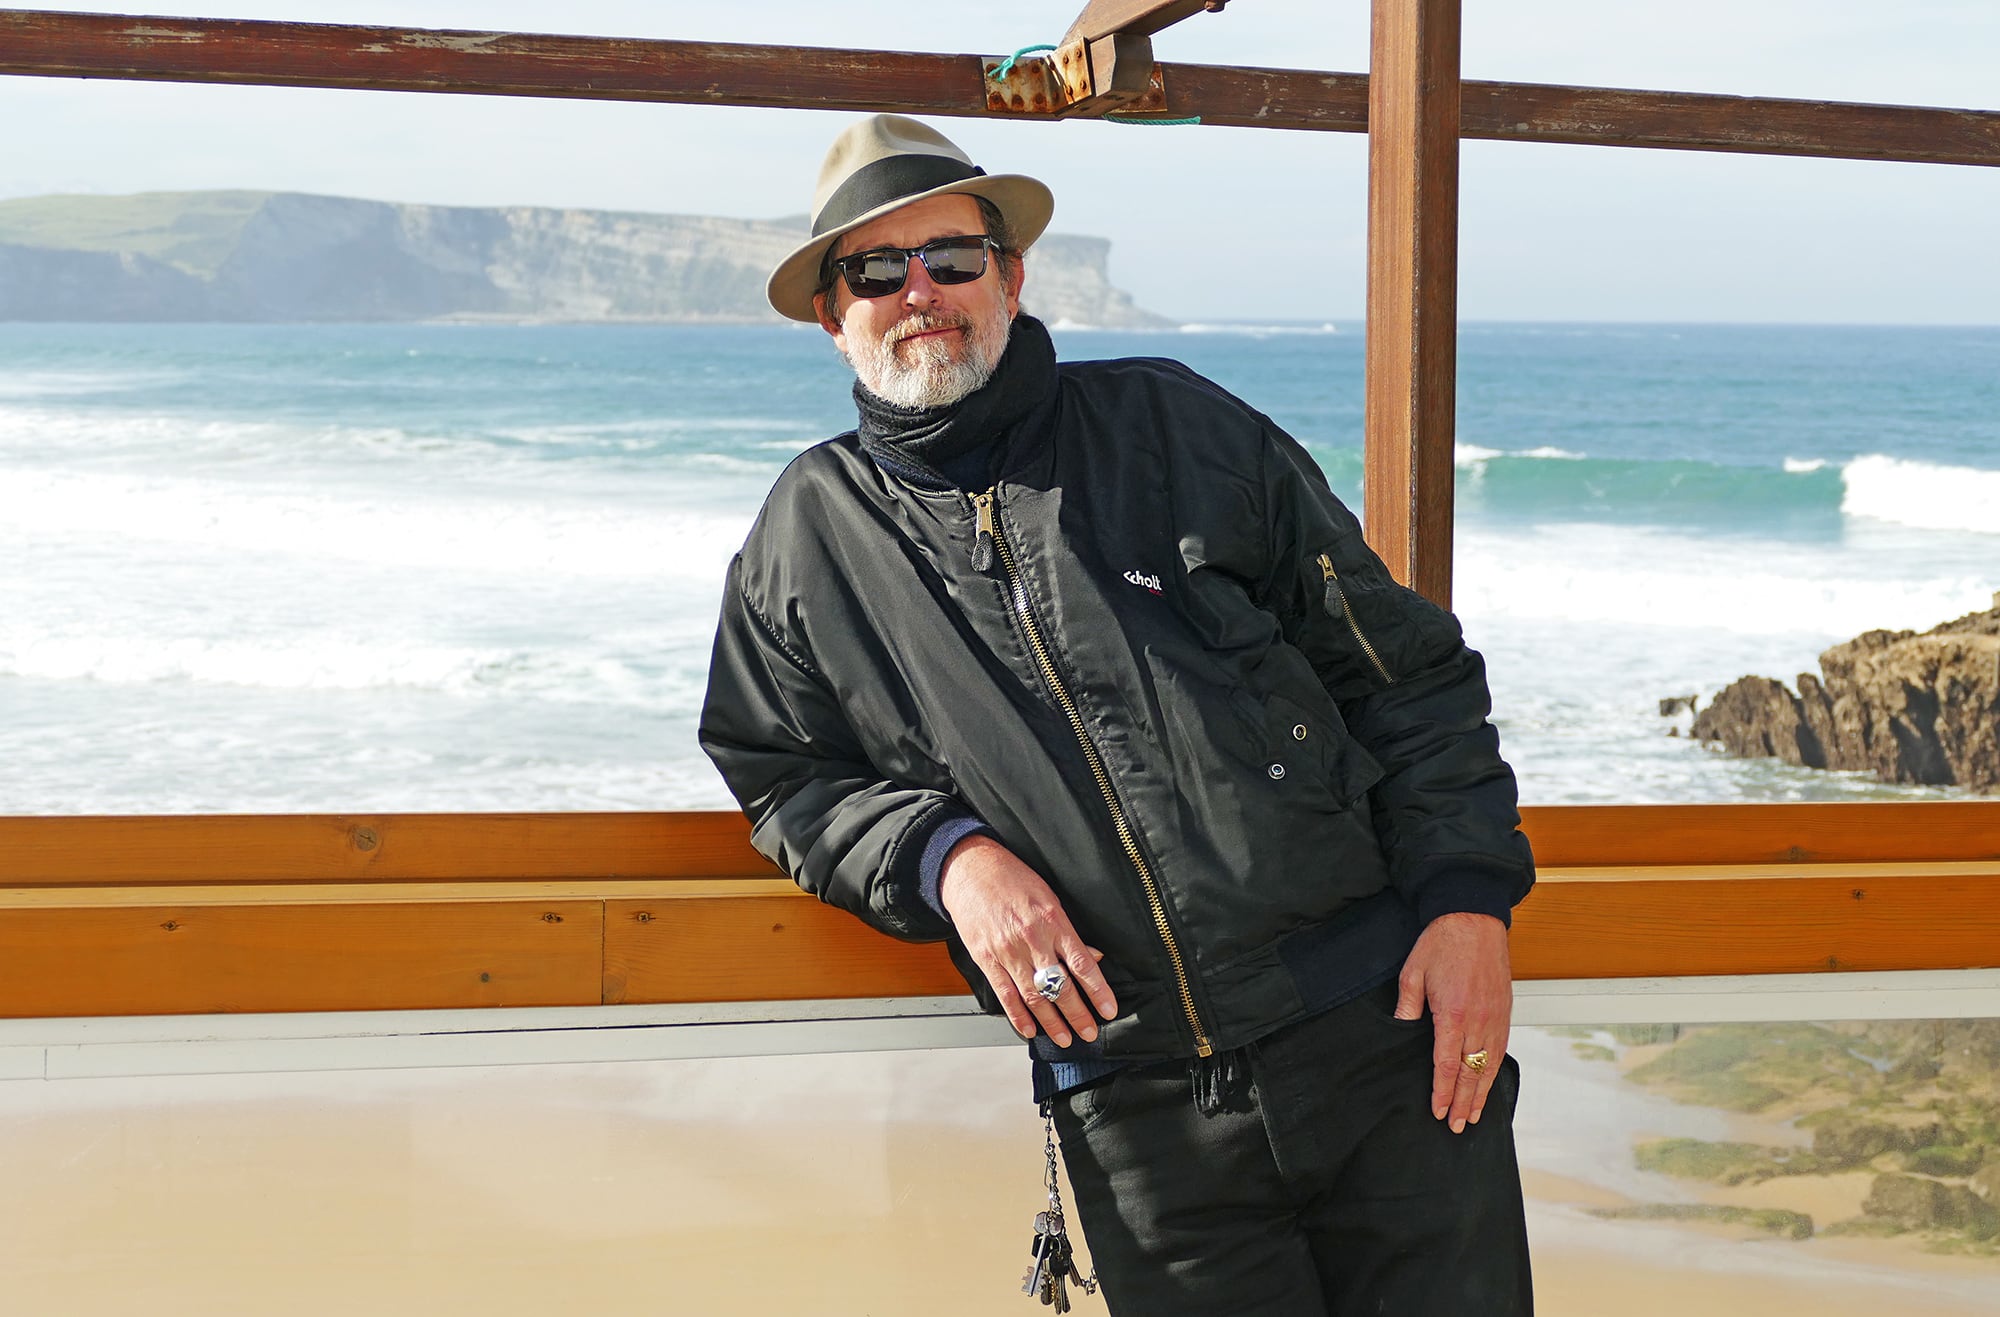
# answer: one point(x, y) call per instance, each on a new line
point(161, 916)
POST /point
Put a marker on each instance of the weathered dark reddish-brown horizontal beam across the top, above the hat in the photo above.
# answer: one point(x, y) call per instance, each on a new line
point(37, 43)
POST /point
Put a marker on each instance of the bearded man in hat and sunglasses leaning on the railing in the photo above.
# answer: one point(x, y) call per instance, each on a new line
point(1085, 672)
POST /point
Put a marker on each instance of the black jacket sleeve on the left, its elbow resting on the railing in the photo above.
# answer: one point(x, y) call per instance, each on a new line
point(817, 808)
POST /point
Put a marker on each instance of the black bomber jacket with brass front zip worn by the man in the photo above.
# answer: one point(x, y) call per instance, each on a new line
point(1175, 682)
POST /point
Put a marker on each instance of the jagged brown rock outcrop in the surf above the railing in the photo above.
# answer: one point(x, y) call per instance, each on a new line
point(1903, 706)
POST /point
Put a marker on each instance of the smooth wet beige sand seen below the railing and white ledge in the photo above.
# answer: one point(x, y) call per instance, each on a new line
point(835, 1186)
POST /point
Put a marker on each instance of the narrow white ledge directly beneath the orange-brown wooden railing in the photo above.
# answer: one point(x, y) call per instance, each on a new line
point(557, 1036)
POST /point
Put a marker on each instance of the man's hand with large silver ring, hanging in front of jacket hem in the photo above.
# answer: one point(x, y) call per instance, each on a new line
point(1013, 926)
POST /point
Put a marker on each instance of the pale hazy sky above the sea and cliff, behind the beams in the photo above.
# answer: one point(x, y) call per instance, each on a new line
point(1207, 223)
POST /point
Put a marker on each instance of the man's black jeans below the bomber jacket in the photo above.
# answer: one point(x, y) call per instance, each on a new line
point(1331, 1194)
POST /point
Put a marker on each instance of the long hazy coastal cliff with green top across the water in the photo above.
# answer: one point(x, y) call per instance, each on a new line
point(269, 257)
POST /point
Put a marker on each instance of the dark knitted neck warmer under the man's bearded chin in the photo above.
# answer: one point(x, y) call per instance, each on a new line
point(957, 445)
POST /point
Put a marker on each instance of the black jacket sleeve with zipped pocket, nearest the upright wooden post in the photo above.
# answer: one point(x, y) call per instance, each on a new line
point(1411, 694)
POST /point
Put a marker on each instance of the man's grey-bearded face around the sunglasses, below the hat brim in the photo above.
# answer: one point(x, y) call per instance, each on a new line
point(923, 345)
